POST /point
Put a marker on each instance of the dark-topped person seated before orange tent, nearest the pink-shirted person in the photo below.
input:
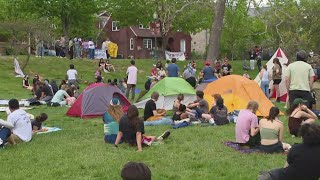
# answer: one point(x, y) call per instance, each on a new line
point(218, 114)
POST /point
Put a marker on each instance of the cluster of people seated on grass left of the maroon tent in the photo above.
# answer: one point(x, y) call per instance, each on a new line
point(46, 92)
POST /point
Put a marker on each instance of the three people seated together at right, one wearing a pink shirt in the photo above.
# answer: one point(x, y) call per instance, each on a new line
point(268, 132)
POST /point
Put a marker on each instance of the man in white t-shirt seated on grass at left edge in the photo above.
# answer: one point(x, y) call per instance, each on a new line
point(17, 128)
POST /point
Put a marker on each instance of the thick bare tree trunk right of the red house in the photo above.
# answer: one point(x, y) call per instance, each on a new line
point(216, 31)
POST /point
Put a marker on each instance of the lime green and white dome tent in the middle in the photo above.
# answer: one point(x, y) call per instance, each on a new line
point(169, 88)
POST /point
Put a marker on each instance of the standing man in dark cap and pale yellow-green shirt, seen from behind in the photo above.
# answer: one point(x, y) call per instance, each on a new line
point(299, 79)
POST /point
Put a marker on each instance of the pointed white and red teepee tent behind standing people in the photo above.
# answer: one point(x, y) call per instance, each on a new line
point(283, 61)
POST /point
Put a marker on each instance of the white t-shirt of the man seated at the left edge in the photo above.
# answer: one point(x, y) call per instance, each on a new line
point(21, 124)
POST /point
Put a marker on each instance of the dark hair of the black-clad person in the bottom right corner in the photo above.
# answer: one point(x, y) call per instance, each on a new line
point(310, 134)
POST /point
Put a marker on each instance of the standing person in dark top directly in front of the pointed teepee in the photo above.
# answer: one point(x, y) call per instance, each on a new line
point(276, 77)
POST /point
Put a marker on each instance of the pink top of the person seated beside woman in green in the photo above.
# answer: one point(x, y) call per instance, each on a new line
point(245, 121)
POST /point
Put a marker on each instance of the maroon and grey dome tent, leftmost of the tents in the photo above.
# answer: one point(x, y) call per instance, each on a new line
point(94, 100)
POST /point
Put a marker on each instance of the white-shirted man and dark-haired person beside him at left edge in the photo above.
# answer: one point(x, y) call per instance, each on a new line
point(19, 127)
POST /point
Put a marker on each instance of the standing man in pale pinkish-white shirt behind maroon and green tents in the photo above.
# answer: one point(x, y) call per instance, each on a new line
point(132, 73)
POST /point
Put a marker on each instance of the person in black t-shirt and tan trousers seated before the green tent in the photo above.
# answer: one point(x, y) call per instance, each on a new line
point(152, 116)
